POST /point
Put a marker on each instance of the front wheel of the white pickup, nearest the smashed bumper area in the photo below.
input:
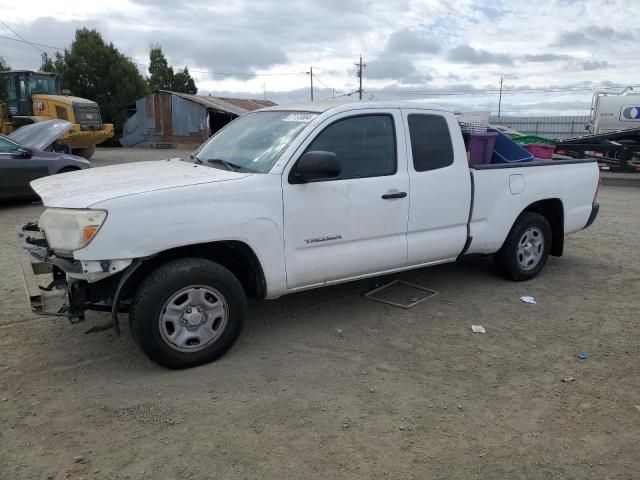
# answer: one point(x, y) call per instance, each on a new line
point(188, 312)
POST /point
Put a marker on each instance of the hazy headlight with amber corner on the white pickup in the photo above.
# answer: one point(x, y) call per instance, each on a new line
point(68, 230)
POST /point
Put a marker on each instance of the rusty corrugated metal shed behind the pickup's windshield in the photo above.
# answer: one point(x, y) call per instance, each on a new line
point(167, 119)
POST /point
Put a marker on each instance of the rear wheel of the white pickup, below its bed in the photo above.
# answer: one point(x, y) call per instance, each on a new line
point(526, 249)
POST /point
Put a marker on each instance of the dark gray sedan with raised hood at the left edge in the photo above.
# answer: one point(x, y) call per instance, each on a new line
point(30, 153)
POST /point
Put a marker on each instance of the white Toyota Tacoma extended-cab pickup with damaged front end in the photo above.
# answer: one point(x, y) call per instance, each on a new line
point(286, 199)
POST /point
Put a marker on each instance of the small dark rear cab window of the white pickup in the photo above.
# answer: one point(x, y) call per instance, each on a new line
point(431, 145)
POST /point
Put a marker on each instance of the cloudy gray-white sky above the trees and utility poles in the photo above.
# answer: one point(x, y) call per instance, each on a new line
point(552, 54)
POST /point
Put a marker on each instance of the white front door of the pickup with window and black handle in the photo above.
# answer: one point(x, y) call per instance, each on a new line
point(355, 224)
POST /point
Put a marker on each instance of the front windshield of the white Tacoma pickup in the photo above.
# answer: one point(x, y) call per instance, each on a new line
point(254, 141)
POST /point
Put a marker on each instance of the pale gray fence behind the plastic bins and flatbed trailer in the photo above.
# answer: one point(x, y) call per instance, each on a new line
point(553, 128)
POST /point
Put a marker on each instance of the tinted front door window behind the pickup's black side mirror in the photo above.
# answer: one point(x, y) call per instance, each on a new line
point(364, 145)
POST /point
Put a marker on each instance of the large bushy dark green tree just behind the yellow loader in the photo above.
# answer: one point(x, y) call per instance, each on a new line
point(95, 70)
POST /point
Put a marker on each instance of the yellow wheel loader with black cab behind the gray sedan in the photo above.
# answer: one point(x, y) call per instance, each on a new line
point(32, 97)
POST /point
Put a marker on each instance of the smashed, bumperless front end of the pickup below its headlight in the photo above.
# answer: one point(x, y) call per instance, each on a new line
point(63, 286)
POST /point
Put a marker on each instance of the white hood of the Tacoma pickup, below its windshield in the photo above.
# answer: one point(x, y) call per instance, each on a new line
point(85, 188)
